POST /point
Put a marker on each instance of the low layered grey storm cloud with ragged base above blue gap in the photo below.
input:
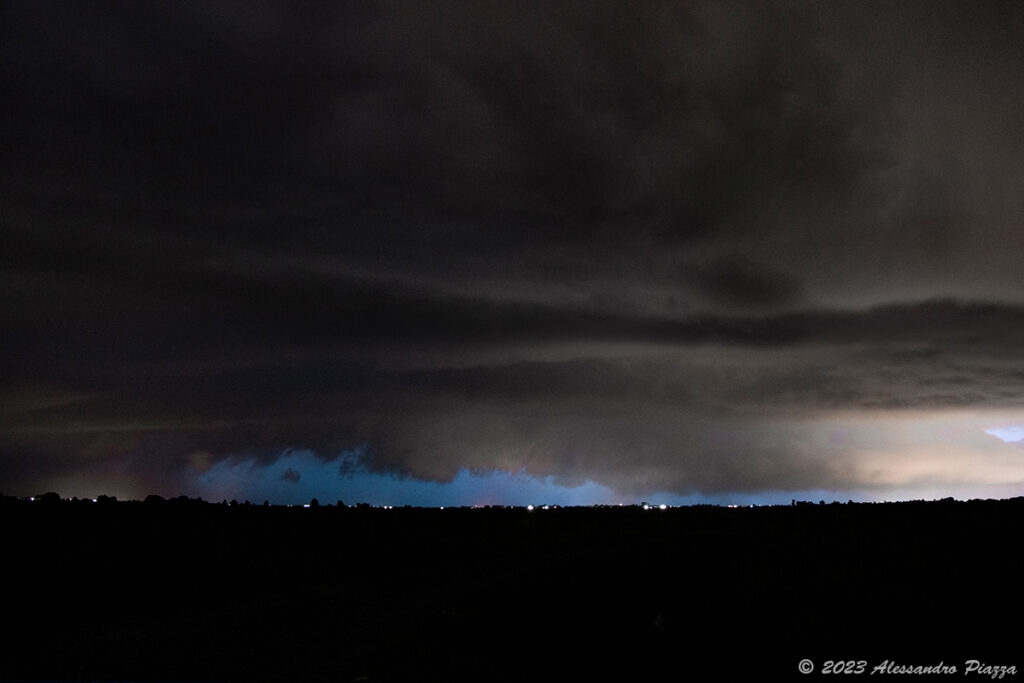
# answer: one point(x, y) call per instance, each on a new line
point(731, 410)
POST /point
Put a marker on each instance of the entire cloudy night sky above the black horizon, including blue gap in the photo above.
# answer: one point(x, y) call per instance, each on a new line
point(449, 253)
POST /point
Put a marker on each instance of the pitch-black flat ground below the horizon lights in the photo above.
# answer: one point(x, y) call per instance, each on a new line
point(176, 592)
